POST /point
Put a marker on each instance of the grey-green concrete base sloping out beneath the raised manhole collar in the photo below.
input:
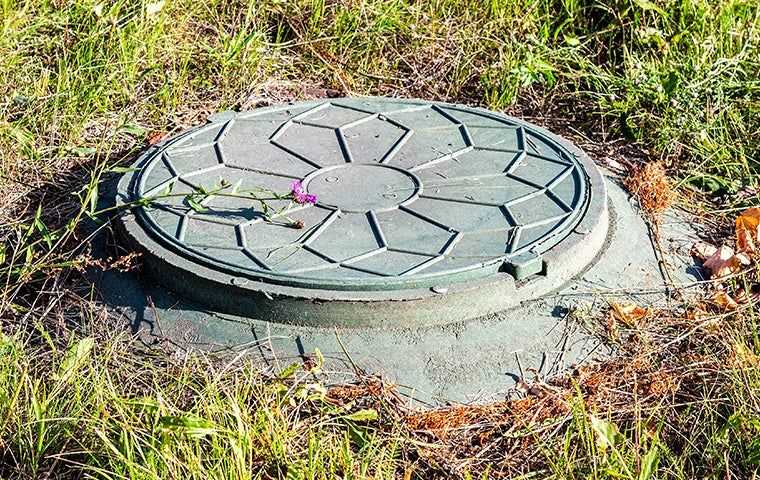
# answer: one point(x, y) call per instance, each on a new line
point(474, 361)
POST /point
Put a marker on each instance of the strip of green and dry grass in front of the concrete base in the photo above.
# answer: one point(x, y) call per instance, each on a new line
point(681, 402)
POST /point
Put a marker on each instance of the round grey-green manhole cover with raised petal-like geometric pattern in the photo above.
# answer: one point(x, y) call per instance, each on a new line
point(409, 195)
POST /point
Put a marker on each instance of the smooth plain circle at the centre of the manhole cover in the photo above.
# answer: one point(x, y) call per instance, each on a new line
point(360, 188)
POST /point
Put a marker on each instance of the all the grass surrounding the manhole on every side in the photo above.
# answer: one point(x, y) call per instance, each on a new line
point(84, 83)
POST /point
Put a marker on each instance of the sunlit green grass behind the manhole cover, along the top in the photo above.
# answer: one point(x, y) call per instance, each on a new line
point(680, 76)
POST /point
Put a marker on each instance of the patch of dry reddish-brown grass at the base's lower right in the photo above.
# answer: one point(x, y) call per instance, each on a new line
point(666, 368)
